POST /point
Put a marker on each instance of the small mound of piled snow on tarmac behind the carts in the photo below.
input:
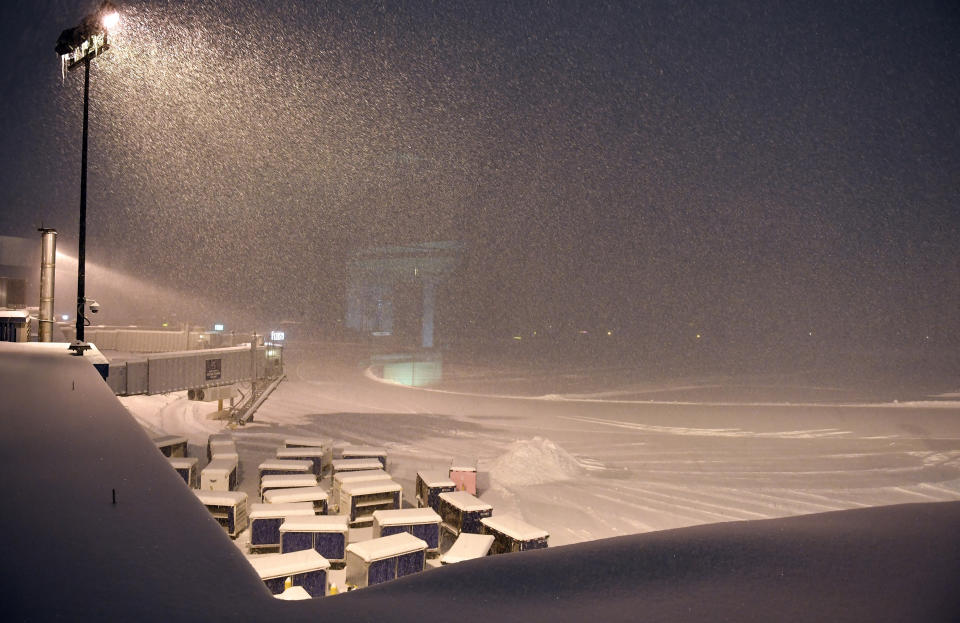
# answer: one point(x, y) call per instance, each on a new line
point(533, 462)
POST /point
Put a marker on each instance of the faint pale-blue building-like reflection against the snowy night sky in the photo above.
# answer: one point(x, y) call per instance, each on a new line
point(393, 290)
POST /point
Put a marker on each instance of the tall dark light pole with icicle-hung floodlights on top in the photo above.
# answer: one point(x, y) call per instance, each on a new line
point(78, 46)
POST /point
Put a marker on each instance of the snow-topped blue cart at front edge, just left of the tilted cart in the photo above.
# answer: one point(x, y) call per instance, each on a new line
point(384, 559)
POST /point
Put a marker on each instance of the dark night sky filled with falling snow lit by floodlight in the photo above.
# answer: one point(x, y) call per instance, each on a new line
point(758, 173)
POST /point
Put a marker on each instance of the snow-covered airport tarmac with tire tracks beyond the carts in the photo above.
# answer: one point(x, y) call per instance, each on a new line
point(619, 461)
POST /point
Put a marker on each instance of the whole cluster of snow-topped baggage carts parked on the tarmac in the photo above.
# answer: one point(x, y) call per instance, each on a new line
point(305, 525)
